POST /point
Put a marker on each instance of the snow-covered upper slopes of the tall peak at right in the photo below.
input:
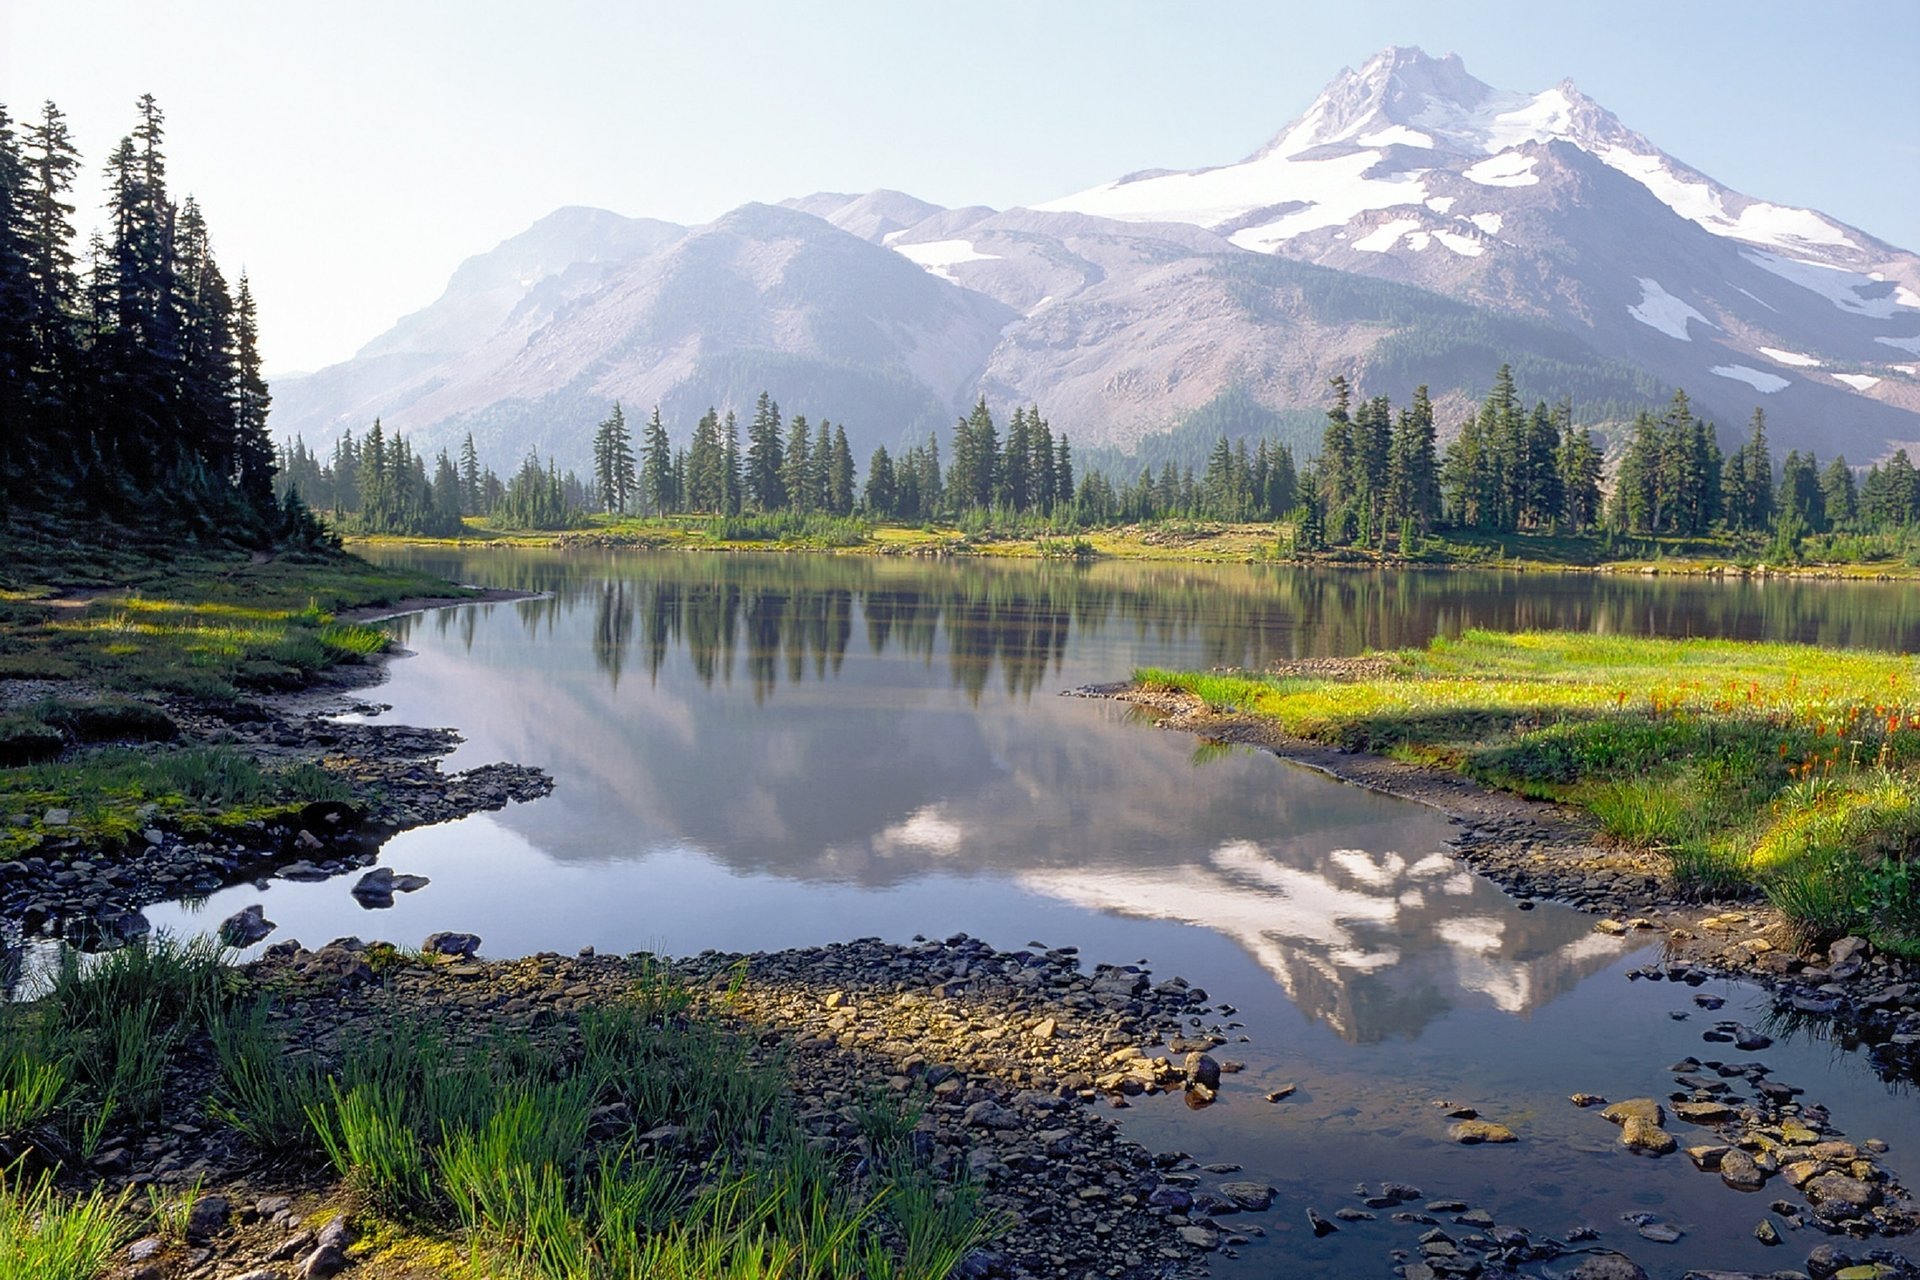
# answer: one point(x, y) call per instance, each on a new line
point(1547, 204)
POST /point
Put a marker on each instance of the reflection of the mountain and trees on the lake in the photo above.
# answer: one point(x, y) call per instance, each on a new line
point(859, 726)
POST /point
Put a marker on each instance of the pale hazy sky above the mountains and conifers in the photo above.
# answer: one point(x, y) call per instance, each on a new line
point(352, 154)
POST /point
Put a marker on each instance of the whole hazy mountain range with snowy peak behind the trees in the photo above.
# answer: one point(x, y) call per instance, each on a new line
point(1414, 225)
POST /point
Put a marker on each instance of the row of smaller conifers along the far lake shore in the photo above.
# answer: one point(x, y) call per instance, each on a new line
point(1380, 481)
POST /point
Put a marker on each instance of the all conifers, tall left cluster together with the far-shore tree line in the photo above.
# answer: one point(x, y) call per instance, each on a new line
point(133, 391)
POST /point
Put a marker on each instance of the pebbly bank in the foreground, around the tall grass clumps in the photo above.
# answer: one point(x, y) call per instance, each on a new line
point(999, 1053)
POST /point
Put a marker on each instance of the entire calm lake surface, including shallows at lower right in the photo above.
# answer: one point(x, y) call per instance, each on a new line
point(777, 751)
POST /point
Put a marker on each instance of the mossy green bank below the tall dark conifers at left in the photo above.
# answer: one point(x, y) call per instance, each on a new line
point(108, 636)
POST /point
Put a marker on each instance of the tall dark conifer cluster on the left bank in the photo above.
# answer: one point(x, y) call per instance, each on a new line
point(130, 371)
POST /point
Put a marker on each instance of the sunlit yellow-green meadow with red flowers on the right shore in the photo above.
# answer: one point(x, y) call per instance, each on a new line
point(1788, 769)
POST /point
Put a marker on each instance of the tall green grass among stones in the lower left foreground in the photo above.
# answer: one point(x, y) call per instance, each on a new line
point(648, 1139)
